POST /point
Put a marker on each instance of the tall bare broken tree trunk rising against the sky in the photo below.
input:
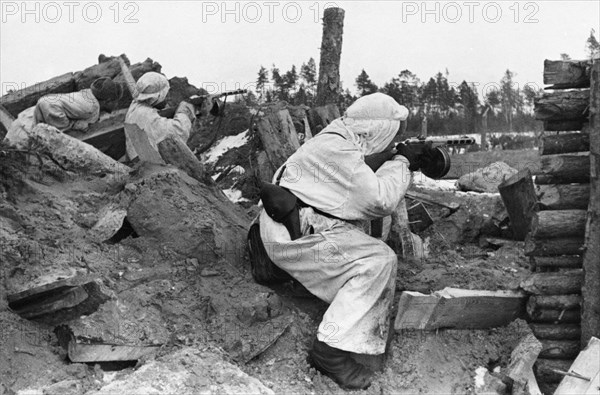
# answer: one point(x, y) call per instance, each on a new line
point(329, 87)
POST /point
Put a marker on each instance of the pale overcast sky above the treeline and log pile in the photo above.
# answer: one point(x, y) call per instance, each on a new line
point(220, 45)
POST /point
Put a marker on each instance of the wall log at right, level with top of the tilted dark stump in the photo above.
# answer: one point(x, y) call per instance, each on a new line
point(564, 169)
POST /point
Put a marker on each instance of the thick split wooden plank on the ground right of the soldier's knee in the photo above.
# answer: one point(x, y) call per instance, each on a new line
point(458, 308)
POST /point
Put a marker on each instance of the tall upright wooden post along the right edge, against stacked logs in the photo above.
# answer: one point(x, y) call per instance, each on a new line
point(590, 325)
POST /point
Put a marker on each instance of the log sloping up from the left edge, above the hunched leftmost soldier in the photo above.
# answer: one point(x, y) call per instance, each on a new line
point(19, 100)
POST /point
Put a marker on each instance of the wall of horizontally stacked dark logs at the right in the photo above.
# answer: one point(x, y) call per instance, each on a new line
point(555, 242)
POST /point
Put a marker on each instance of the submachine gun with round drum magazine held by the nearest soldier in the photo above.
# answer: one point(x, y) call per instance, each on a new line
point(430, 155)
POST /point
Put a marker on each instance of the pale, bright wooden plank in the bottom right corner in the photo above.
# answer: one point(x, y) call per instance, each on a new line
point(587, 364)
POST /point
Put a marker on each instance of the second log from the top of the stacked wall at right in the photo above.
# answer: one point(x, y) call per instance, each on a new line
point(562, 105)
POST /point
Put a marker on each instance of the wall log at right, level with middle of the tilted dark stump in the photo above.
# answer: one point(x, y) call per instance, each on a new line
point(563, 197)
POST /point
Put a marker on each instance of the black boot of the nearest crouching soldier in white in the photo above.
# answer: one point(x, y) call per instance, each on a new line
point(339, 365)
